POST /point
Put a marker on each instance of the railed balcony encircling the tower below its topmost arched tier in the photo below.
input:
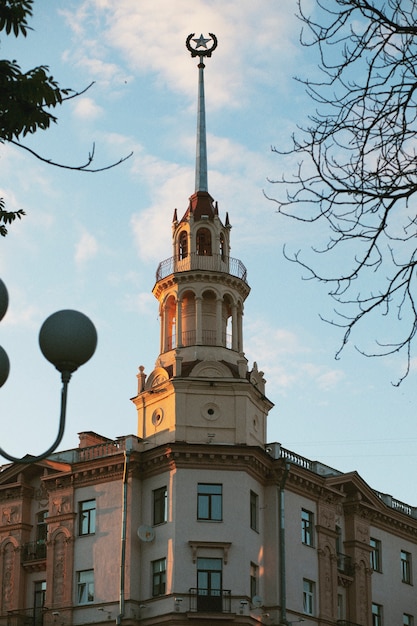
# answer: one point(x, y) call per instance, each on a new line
point(194, 261)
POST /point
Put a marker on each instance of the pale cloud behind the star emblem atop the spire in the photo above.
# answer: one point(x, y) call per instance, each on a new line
point(149, 36)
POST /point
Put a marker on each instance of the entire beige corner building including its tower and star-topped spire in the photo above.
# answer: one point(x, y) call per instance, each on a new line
point(197, 519)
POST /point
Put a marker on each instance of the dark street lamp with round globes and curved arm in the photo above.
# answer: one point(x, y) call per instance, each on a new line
point(67, 339)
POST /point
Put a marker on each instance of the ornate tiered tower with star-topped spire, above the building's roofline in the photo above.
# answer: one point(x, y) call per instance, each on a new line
point(201, 390)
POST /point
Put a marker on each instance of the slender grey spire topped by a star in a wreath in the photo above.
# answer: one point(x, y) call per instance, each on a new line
point(201, 50)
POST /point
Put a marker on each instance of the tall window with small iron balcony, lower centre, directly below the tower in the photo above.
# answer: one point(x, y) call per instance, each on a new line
point(209, 584)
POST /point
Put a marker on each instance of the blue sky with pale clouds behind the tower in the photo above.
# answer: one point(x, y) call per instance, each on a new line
point(92, 242)
